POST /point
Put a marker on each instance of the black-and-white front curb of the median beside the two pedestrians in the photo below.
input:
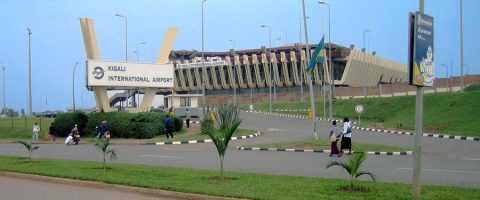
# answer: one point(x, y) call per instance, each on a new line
point(396, 153)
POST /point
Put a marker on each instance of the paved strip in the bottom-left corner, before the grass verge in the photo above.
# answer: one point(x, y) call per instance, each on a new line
point(23, 189)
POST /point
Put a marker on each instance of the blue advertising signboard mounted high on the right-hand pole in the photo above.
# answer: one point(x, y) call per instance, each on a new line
point(421, 60)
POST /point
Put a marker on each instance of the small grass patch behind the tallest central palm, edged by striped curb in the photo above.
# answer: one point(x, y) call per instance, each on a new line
point(194, 135)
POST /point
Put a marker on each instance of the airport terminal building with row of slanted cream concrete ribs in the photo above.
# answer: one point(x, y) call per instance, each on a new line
point(251, 71)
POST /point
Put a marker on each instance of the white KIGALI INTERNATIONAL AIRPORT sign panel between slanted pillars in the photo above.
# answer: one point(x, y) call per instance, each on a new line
point(121, 74)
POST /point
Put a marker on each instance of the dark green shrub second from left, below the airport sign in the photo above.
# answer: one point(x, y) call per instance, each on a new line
point(117, 123)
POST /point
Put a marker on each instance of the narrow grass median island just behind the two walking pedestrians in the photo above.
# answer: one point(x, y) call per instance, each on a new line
point(325, 145)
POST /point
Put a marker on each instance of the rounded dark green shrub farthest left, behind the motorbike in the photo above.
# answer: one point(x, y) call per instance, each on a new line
point(65, 122)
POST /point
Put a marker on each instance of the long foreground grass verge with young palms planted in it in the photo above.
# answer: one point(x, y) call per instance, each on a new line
point(241, 185)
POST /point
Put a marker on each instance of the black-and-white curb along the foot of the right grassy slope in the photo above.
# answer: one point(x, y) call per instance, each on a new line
point(444, 136)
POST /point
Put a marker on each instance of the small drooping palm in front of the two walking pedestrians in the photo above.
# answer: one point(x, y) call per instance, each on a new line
point(352, 166)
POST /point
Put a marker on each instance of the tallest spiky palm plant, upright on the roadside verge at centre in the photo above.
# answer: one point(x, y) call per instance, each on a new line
point(227, 121)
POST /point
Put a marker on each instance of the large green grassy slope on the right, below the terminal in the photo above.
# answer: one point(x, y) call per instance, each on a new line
point(450, 113)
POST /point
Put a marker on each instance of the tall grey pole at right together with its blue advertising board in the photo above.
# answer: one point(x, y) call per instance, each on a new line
point(421, 73)
